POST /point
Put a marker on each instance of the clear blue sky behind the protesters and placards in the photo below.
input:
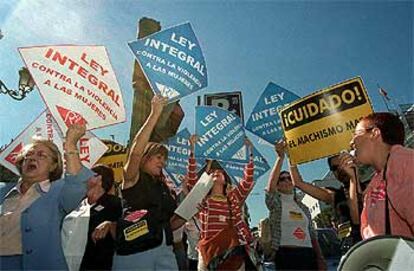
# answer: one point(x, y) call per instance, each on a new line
point(303, 46)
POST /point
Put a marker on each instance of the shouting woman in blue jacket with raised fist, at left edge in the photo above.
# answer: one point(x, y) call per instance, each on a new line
point(33, 210)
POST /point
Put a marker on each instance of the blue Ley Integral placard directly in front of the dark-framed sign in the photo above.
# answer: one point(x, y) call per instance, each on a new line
point(220, 135)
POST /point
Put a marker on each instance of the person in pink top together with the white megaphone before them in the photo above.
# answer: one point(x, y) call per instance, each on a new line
point(387, 219)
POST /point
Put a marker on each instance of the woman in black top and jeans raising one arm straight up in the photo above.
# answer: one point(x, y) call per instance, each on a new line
point(144, 188)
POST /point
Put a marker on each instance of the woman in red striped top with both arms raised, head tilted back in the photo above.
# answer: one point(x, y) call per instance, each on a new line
point(224, 236)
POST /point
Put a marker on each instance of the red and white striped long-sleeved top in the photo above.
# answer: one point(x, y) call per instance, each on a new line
point(215, 213)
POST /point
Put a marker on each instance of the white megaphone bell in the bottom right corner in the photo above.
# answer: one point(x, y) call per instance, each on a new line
point(392, 253)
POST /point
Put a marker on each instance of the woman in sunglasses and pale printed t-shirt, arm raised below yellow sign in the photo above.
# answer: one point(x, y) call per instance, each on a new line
point(294, 241)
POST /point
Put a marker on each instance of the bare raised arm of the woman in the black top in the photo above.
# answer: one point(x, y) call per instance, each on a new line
point(131, 169)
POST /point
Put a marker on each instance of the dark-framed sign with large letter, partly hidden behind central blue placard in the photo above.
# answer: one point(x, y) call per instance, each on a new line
point(230, 101)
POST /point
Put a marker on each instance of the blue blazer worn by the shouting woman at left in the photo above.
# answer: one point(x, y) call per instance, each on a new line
point(41, 224)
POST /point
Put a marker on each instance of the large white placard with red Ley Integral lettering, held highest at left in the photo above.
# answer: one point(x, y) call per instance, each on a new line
point(77, 84)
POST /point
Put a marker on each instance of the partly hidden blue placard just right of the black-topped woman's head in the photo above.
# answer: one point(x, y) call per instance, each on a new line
point(178, 153)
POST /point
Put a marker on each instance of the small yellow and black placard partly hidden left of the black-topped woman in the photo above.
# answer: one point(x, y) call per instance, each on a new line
point(115, 158)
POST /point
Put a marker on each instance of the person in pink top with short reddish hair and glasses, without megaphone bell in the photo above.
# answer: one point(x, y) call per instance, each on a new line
point(378, 141)
